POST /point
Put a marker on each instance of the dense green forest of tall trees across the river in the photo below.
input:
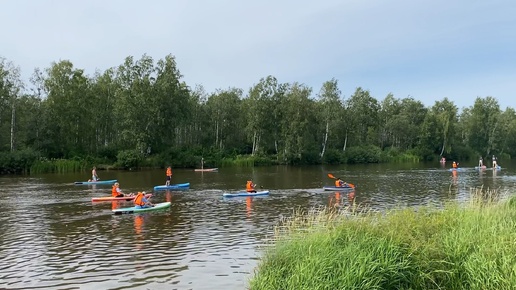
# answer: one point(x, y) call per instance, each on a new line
point(142, 113)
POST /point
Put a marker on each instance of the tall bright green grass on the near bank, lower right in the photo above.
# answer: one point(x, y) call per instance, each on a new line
point(470, 246)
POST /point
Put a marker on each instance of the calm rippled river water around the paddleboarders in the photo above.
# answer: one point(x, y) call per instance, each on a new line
point(54, 237)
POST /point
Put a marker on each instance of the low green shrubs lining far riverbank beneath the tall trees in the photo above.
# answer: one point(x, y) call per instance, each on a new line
point(30, 161)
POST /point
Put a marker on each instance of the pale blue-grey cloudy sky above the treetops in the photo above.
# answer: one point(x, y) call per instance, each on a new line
point(424, 49)
